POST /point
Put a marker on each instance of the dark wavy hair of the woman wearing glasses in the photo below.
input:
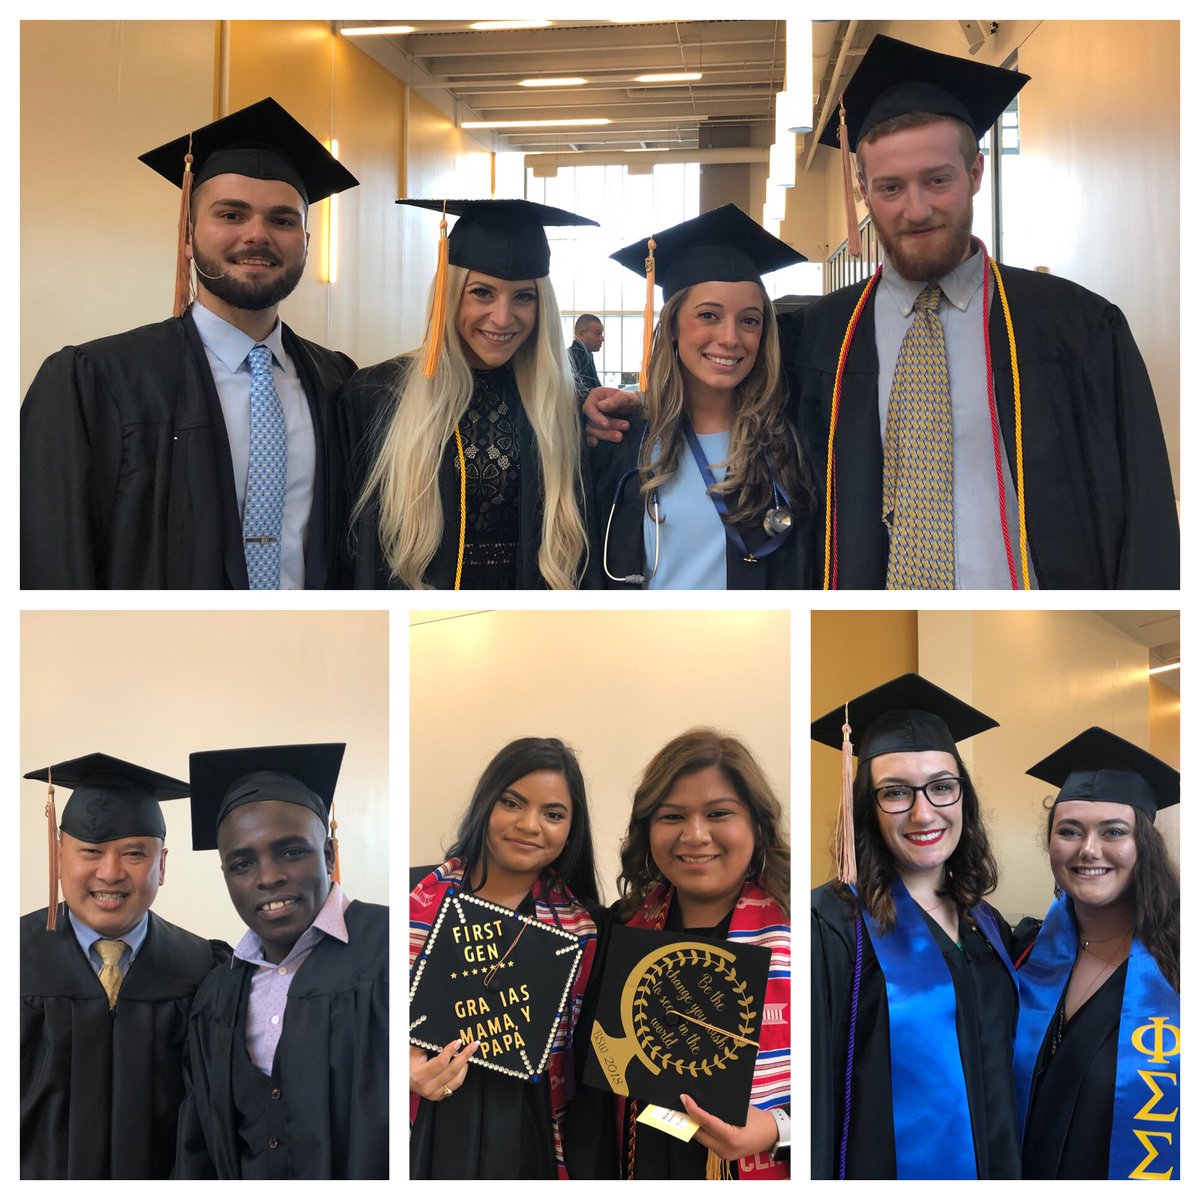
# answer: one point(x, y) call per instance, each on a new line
point(970, 872)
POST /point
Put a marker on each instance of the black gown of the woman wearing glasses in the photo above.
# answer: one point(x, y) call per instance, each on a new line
point(986, 1019)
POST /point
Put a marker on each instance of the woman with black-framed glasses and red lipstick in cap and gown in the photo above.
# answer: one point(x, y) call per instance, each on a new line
point(914, 992)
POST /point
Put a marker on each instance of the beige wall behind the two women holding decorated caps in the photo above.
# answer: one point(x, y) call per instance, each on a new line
point(481, 680)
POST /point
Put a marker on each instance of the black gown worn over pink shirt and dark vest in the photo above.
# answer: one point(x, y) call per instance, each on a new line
point(332, 1063)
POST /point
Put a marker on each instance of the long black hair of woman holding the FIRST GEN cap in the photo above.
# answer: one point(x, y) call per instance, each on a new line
point(575, 867)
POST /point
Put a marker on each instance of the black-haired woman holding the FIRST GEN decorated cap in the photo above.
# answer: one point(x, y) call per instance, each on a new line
point(526, 844)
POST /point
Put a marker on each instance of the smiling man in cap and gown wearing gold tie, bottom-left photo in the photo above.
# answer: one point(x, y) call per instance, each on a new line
point(106, 985)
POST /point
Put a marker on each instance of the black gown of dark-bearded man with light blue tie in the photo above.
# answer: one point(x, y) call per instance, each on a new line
point(127, 478)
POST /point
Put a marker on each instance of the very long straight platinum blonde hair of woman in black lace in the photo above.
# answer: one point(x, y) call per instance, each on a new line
point(424, 416)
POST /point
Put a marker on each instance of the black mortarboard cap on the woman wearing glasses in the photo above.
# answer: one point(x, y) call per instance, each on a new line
point(904, 715)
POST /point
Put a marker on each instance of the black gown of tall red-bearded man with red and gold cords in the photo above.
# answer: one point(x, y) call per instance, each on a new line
point(1100, 507)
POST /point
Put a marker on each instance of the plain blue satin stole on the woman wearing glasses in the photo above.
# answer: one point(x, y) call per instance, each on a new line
point(929, 1091)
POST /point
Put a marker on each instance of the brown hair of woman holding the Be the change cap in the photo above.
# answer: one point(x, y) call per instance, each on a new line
point(691, 753)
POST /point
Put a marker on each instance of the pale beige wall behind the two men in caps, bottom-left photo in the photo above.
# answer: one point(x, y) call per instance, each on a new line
point(153, 687)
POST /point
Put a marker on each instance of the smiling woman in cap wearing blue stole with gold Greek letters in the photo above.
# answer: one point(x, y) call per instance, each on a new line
point(1099, 1040)
